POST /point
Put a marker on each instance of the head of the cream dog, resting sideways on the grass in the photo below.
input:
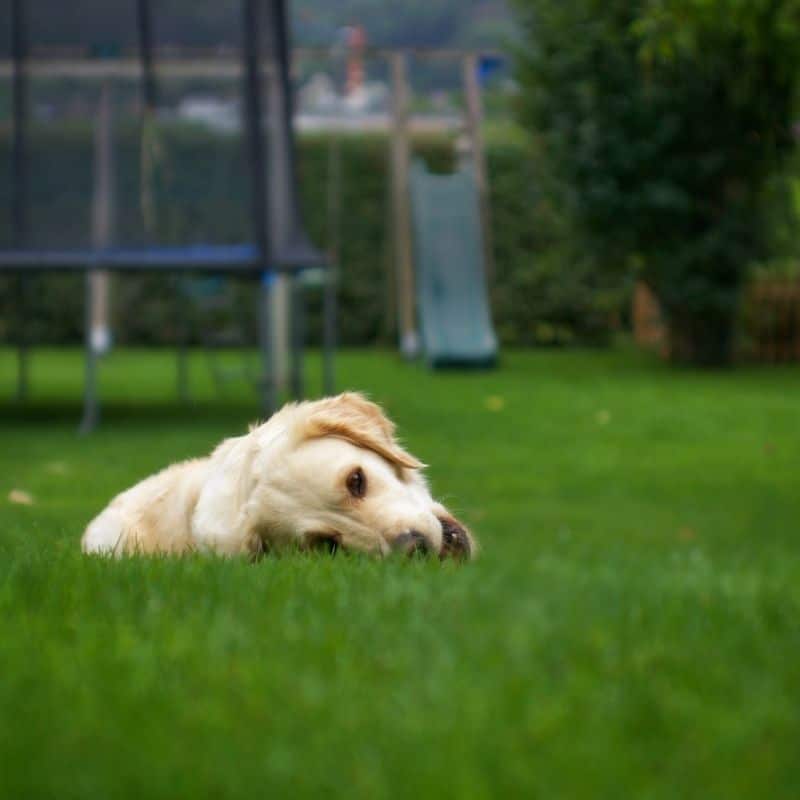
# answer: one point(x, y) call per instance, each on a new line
point(331, 474)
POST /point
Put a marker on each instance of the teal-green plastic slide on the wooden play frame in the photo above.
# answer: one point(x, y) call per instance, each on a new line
point(454, 314)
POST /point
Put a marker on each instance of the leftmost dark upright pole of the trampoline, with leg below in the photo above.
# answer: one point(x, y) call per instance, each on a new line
point(19, 46)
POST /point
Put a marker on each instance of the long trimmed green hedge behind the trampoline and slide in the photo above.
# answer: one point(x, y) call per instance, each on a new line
point(540, 293)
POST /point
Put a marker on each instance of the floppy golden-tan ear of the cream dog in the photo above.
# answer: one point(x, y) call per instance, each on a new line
point(351, 416)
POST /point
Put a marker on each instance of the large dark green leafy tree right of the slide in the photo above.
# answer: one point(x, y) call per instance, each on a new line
point(657, 127)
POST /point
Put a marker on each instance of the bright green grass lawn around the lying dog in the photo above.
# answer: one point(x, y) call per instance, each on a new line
point(631, 629)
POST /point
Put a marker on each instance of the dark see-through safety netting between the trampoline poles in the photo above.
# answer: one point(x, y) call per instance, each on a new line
point(181, 176)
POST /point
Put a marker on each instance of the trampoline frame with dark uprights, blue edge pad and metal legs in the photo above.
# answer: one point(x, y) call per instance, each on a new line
point(278, 244)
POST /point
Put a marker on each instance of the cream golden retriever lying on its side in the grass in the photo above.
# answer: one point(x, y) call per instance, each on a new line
point(324, 474)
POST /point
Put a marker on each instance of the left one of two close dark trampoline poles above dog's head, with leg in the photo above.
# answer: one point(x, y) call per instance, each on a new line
point(259, 210)
